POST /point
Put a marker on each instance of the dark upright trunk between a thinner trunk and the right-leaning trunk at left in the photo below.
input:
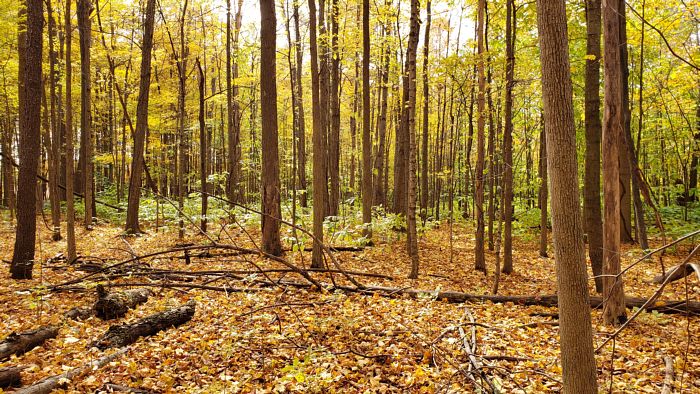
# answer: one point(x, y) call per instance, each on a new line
point(86, 138)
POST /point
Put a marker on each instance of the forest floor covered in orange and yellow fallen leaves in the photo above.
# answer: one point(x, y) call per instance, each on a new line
point(302, 340)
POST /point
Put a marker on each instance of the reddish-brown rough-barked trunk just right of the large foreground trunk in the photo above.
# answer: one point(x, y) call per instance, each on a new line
point(613, 127)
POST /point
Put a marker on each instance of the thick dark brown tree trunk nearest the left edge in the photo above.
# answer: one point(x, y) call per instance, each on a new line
point(30, 49)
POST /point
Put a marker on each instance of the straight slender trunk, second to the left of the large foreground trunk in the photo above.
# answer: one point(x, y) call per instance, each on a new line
point(508, 140)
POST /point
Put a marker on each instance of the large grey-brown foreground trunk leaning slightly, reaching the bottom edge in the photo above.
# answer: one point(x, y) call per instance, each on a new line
point(576, 339)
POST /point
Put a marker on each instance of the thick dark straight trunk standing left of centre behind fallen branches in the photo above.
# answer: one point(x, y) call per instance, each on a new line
point(272, 212)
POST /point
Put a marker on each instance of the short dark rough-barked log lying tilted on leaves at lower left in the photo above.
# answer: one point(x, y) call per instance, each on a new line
point(126, 334)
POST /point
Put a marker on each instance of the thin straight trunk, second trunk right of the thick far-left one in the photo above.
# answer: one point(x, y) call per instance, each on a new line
point(71, 253)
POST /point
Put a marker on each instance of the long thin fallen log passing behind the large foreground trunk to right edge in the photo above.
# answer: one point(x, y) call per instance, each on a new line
point(673, 306)
